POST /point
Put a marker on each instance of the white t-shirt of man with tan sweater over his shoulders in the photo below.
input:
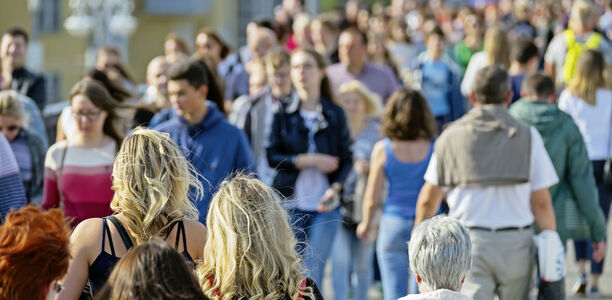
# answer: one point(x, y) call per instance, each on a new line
point(500, 206)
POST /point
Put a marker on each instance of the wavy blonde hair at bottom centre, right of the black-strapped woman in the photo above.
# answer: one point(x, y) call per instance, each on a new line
point(250, 249)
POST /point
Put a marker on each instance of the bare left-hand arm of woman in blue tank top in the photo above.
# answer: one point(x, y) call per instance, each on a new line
point(372, 199)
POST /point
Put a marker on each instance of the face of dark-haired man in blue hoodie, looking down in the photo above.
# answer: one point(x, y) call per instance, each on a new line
point(185, 98)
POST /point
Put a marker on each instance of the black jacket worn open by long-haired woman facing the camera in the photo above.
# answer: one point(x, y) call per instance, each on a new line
point(289, 137)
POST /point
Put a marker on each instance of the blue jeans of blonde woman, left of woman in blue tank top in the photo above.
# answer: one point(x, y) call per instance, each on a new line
point(350, 254)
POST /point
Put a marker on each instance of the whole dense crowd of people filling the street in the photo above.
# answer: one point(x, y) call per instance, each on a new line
point(338, 138)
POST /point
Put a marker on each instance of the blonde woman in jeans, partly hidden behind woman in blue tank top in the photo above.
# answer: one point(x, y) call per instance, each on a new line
point(362, 108)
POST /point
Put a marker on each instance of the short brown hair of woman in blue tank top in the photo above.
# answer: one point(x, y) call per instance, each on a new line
point(407, 116)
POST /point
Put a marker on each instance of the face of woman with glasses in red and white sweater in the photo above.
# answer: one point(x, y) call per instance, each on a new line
point(89, 118)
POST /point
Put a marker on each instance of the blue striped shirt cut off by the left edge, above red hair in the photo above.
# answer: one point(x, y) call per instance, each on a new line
point(12, 194)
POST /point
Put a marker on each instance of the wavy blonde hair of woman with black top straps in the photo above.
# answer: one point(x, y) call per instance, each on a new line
point(151, 180)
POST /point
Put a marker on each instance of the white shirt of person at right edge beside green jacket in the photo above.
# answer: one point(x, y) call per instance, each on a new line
point(593, 121)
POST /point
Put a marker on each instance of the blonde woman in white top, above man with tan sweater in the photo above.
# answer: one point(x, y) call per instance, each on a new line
point(496, 51)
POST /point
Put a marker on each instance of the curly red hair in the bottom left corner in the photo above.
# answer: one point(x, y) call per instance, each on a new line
point(33, 252)
